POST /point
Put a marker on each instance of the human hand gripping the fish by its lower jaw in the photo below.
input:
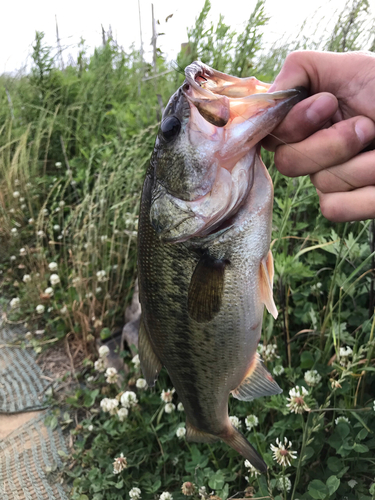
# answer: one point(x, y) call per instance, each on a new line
point(327, 132)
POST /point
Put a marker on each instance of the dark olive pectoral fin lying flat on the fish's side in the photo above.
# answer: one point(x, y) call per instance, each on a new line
point(206, 289)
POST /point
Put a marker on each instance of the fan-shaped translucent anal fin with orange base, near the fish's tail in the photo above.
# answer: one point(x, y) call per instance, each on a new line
point(257, 382)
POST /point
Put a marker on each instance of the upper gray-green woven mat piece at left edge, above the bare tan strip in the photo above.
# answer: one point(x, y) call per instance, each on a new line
point(21, 383)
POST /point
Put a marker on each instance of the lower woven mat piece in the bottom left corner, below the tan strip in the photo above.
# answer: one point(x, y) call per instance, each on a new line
point(29, 463)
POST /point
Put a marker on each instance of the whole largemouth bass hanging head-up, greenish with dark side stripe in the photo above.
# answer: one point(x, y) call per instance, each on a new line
point(205, 268)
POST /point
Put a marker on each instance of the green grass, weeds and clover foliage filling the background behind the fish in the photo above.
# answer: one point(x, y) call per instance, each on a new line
point(74, 147)
